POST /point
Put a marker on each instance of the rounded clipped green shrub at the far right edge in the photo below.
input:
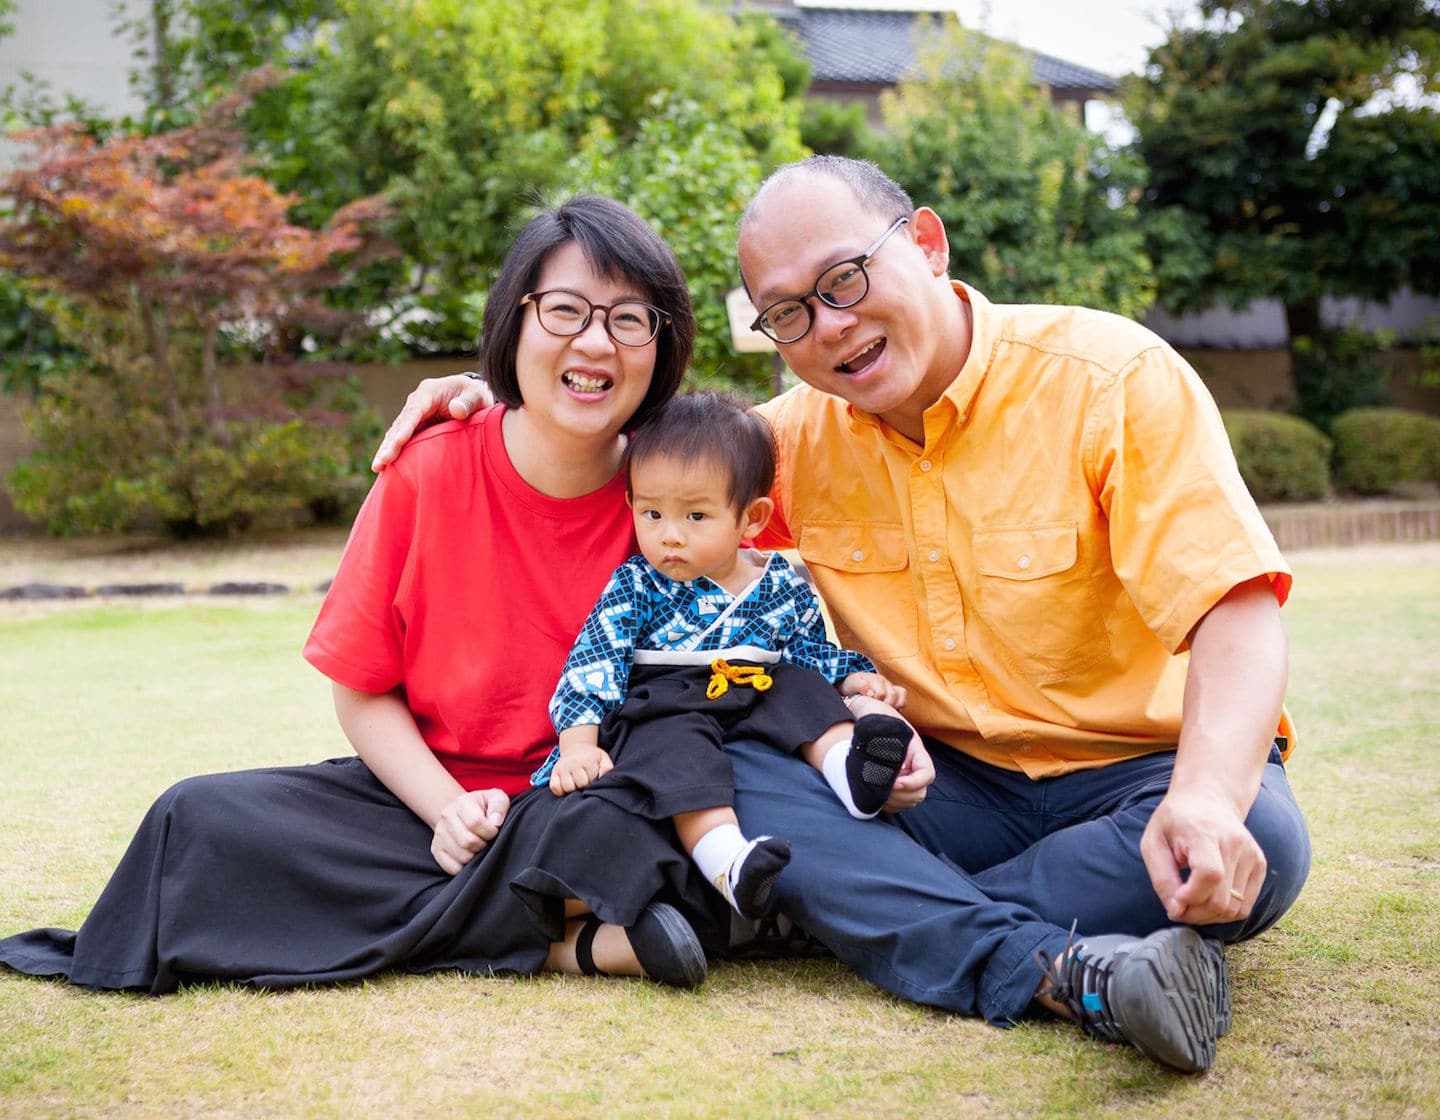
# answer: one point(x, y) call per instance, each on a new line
point(1380, 451)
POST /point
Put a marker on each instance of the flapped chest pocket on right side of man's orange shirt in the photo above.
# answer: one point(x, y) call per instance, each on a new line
point(1038, 600)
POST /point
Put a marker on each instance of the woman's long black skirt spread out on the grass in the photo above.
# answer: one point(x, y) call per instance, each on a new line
point(319, 875)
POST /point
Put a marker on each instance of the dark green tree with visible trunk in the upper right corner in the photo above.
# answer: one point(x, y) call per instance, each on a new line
point(1290, 146)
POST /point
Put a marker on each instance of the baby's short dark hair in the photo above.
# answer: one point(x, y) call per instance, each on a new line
point(714, 428)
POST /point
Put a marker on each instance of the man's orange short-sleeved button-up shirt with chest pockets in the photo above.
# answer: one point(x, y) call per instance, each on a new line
point(1032, 574)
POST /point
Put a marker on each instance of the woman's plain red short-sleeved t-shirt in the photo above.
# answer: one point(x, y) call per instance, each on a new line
point(464, 588)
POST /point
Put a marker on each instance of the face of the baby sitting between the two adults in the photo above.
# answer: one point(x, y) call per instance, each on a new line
point(683, 518)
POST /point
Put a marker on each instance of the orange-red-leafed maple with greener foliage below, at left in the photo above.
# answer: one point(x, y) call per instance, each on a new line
point(169, 251)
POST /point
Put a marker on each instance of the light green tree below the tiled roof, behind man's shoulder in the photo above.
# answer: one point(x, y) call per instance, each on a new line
point(1038, 208)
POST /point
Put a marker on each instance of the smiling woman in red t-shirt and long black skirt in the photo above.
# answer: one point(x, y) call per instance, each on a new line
point(470, 569)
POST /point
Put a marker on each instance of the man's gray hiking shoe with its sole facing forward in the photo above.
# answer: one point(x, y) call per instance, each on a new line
point(1160, 994)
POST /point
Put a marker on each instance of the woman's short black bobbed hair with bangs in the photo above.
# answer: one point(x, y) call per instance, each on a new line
point(618, 245)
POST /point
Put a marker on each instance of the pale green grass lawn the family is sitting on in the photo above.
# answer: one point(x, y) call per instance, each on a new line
point(102, 708)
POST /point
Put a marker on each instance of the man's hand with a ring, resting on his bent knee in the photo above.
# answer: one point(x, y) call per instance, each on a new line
point(1203, 833)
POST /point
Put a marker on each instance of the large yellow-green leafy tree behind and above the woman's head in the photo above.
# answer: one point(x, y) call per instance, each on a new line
point(463, 114)
